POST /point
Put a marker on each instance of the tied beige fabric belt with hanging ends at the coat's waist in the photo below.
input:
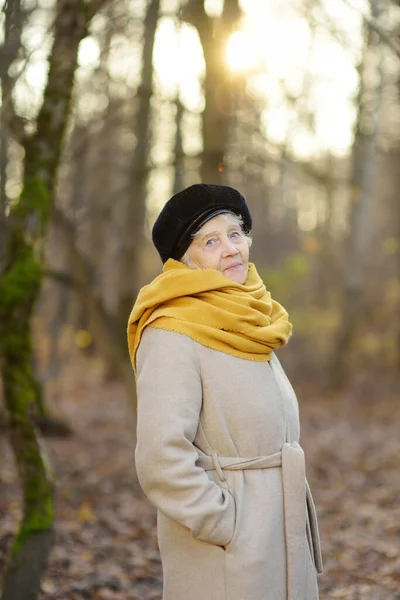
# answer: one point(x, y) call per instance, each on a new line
point(299, 511)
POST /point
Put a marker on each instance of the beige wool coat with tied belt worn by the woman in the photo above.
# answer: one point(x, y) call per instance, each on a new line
point(228, 528)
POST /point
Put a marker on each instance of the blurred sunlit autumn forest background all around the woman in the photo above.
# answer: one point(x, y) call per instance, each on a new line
point(107, 108)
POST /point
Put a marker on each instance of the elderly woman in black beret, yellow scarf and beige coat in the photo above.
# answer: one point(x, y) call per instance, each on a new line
point(218, 427)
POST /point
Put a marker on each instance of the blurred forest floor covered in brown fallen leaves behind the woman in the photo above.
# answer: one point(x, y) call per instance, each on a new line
point(105, 541)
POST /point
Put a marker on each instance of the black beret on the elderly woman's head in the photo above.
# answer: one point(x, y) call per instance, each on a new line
point(188, 210)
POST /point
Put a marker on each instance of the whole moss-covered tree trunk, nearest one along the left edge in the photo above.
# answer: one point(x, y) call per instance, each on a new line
point(19, 287)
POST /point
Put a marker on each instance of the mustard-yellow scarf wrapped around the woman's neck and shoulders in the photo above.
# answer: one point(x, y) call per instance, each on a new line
point(241, 320)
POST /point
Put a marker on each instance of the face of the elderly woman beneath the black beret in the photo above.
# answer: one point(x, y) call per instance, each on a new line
point(221, 245)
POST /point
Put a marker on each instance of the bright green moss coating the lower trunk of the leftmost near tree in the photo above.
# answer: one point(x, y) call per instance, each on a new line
point(19, 287)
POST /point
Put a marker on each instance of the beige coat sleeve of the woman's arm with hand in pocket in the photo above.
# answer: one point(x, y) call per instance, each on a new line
point(169, 405)
